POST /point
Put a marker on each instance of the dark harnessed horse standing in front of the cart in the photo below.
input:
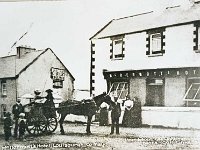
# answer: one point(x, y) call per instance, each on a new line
point(86, 107)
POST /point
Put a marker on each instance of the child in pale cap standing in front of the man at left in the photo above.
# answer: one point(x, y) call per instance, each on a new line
point(22, 126)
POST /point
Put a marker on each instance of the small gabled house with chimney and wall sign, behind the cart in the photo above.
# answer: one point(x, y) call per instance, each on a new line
point(32, 69)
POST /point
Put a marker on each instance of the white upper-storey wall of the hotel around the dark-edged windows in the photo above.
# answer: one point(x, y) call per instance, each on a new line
point(178, 53)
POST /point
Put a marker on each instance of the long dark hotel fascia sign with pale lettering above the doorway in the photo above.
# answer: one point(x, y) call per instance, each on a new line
point(169, 72)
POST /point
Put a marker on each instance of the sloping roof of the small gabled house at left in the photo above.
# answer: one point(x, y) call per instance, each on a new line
point(12, 66)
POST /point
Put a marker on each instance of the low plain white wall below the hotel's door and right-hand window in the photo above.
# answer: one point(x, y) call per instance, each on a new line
point(176, 117)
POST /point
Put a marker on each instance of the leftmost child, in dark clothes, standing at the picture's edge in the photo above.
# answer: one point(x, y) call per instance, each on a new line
point(7, 126)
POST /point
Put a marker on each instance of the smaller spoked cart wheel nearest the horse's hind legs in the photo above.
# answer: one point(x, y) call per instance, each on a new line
point(51, 125)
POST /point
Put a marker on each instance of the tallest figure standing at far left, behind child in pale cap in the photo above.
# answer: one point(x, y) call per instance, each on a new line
point(16, 110)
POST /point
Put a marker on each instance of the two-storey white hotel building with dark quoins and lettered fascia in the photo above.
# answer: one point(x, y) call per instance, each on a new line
point(156, 58)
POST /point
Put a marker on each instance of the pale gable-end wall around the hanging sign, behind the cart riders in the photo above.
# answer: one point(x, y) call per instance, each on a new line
point(37, 76)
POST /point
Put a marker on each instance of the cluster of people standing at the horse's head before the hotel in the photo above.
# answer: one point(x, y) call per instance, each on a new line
point(131, 116)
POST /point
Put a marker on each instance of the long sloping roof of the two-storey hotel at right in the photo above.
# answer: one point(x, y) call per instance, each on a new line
point(149, 20)
